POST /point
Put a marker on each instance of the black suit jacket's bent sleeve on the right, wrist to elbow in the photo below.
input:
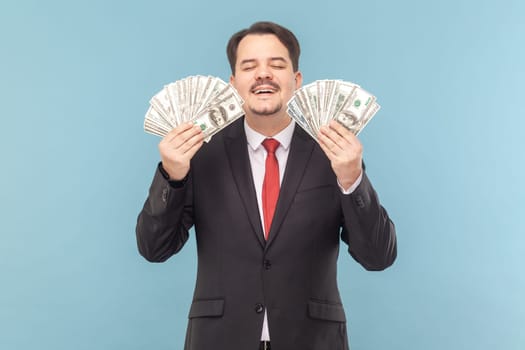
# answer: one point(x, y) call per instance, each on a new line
point(367, 229)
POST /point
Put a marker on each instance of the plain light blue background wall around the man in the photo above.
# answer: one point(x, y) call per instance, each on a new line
point(445, 154)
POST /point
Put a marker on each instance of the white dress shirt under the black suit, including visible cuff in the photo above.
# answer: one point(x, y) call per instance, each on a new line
point(257, 154)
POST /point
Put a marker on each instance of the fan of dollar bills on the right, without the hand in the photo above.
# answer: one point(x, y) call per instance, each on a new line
point(315, 104)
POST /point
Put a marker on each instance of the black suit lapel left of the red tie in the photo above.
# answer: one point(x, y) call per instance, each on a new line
point(237, 153)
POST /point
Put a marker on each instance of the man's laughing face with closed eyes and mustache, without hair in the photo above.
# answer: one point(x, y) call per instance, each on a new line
point(264, 75)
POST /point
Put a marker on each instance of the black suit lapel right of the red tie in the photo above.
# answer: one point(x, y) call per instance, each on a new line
point(301, 149)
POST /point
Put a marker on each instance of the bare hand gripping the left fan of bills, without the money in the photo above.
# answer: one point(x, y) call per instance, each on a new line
point(178, 147)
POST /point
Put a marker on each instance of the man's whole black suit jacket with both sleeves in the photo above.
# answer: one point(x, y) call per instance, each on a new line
point(293, 274)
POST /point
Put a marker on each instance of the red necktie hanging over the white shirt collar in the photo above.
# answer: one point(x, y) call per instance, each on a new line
point(271, 184)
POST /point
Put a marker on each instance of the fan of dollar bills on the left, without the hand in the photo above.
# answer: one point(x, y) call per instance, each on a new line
point(204, 100)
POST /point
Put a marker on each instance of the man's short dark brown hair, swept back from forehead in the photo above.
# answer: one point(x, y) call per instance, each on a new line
point(286, 37)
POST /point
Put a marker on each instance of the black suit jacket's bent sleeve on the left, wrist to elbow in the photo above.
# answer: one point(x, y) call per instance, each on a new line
point(164, 222)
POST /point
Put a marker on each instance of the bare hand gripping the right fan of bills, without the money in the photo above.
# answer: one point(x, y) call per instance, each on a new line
point(344, 151)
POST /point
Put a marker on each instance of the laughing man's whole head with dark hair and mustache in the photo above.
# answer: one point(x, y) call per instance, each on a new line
point(265, 59)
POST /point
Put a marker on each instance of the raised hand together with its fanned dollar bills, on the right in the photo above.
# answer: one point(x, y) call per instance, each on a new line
point(334, 112)
